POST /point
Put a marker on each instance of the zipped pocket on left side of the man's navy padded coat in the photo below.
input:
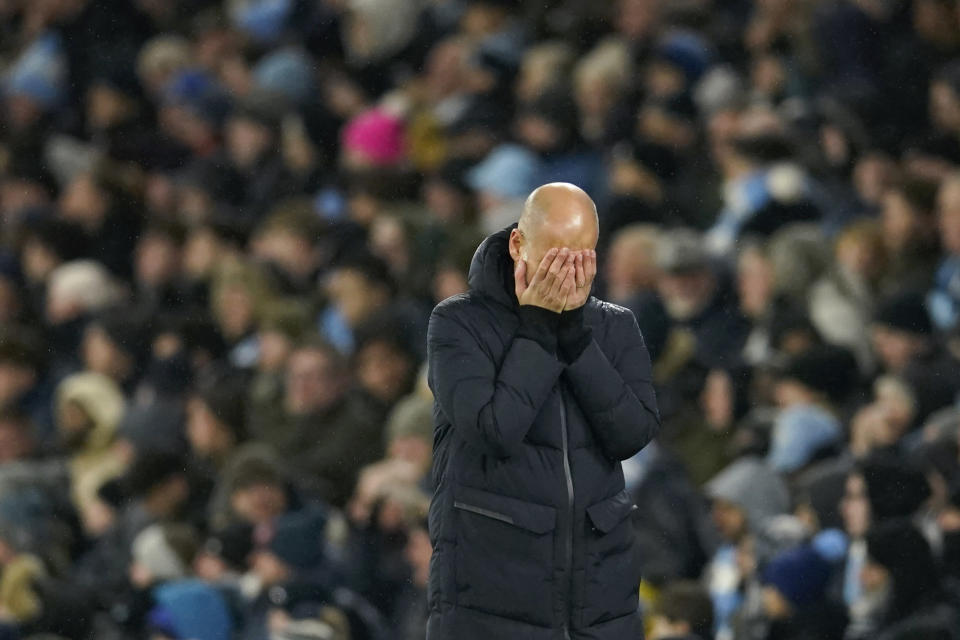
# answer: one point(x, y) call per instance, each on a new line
point(504, 557)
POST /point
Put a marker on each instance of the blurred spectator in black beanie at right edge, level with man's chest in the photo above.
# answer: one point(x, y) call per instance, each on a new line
point(903, 339)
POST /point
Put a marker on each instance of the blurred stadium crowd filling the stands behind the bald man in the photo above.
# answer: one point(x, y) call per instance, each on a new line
point(223, 225)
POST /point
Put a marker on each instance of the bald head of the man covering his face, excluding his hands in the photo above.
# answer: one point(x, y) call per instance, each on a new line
point(559, 215)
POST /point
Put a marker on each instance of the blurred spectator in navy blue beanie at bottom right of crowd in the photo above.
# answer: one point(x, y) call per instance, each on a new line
point(795, 597)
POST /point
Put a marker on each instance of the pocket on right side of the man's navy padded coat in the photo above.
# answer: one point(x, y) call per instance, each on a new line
point(612, 580)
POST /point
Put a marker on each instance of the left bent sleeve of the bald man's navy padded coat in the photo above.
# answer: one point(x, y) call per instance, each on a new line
point(491, 408)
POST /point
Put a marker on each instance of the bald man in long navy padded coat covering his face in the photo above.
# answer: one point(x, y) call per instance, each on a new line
point(541, 391)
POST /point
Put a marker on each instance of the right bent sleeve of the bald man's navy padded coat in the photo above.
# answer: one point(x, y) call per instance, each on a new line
point(617, 397)
